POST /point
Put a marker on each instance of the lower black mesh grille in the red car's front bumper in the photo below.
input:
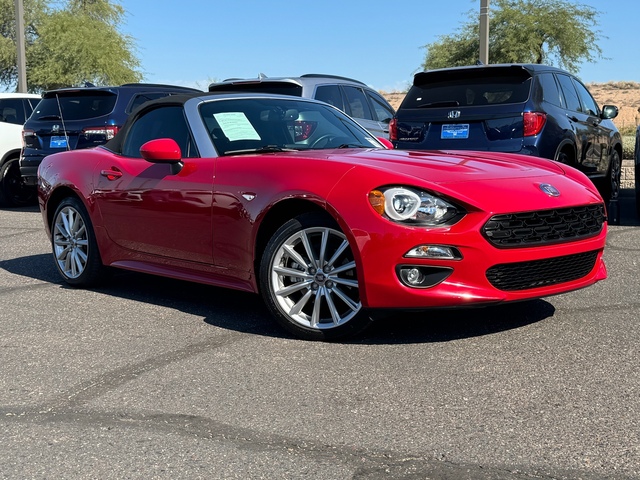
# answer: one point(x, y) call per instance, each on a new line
point(541, 273)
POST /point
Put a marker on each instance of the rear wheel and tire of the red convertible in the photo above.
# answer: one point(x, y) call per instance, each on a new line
point(75, 250)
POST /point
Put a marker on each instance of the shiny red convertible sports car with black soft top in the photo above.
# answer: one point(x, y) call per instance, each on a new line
point(290, 198)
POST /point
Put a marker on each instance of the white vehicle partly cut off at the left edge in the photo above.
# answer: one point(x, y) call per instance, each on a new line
point(15, 108)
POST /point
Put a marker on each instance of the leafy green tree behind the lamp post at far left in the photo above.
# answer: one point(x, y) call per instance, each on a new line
point(69, 46)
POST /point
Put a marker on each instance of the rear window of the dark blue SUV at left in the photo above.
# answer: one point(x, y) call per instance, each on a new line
point(75, 106)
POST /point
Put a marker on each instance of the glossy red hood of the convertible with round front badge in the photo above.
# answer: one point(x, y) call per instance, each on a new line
point(482, 179)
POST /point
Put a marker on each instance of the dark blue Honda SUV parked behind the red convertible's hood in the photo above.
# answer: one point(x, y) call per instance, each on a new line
point(530, 109)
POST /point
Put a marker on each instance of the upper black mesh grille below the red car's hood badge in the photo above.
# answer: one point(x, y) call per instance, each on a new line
point(544, 227)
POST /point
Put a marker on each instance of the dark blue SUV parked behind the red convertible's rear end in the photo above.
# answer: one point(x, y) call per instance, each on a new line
point(73, 118)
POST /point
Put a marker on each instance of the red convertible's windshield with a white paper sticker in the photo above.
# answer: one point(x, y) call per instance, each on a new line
point(262, 125)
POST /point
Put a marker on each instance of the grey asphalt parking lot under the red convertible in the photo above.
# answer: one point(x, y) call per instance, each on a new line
point(154, 378)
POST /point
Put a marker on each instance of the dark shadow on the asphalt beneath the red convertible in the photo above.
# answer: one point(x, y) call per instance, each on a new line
point(245, 312)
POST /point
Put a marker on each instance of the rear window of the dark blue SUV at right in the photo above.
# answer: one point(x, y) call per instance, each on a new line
point(461, 90)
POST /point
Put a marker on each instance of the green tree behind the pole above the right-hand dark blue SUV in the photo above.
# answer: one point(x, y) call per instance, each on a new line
point(553, 32)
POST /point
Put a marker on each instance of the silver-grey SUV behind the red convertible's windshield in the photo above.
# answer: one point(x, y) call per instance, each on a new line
point(362, 103)
